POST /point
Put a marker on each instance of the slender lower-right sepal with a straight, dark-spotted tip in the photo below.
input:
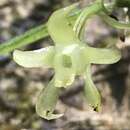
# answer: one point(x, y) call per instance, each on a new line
point(91, 93)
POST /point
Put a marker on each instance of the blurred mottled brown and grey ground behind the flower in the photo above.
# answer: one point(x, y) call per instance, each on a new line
point(19, 86)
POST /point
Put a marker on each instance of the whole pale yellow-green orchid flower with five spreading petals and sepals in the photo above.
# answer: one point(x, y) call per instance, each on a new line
point(69, 57)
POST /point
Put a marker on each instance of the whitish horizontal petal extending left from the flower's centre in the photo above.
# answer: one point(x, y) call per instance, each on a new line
point(38, 58)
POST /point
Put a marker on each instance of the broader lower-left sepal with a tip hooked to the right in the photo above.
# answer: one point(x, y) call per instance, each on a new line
point(46, 102)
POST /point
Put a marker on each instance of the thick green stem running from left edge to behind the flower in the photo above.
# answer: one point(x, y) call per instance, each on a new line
point(28, 37)
